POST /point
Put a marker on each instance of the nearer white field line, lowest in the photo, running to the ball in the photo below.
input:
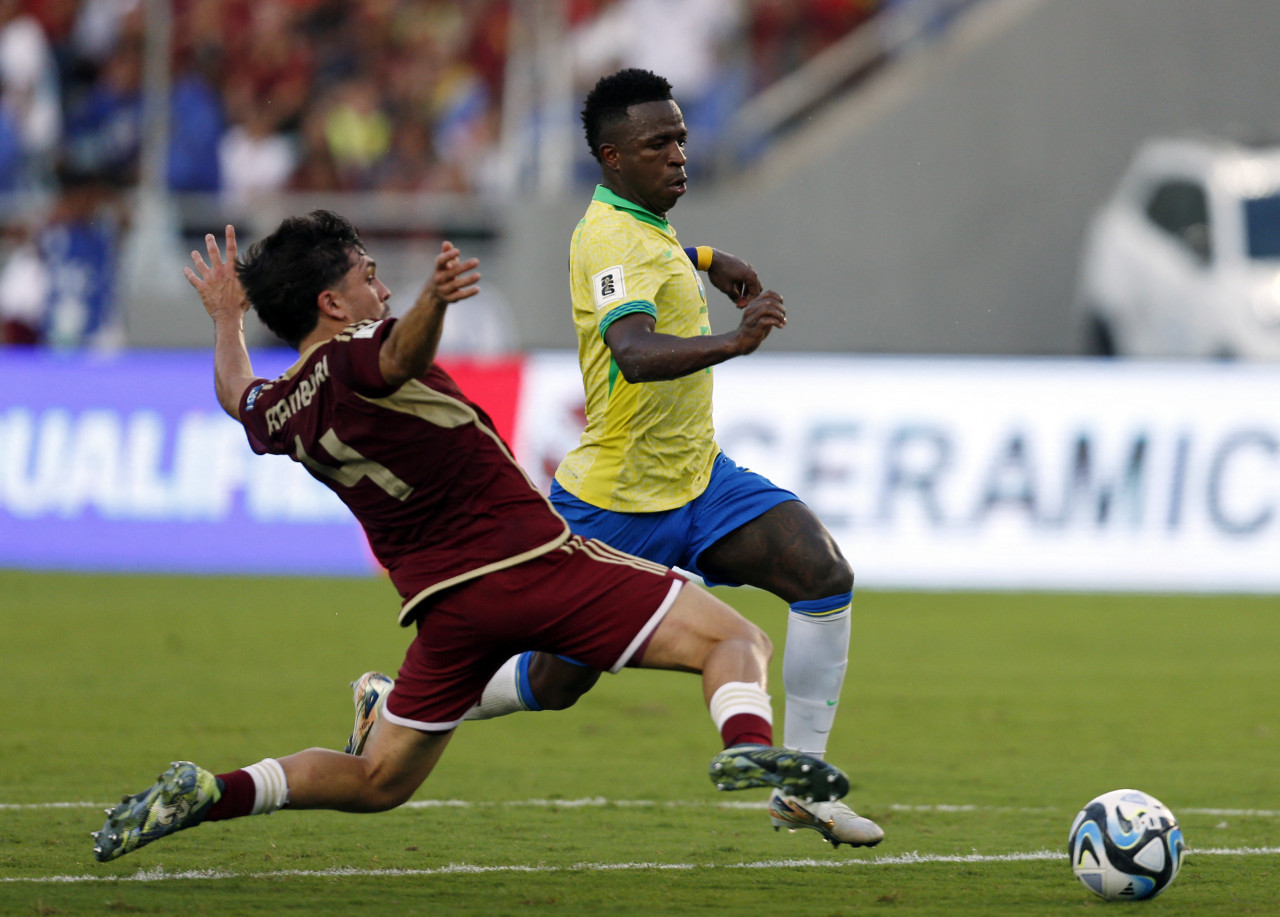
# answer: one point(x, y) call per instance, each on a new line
point(161, 875)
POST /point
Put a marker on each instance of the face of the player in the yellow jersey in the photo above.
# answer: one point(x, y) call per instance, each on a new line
point(650, 159)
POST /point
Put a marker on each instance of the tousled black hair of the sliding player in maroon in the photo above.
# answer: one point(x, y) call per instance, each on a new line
point(285, 273)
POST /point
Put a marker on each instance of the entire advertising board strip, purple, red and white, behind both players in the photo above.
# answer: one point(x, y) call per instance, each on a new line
point(932, 473)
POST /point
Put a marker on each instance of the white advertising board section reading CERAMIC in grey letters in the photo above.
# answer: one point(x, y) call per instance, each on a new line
point(1043, 475)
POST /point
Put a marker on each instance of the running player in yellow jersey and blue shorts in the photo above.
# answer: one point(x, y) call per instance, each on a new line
point(648, 476)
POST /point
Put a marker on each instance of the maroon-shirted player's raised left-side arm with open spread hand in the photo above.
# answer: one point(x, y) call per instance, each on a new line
point(223, 298)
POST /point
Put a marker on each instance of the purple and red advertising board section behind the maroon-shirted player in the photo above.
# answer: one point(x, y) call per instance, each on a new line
point(127, 463)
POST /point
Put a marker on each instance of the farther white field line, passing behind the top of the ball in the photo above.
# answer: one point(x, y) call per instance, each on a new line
point(601, 802)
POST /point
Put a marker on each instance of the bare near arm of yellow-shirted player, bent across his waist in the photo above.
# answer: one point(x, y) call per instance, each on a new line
point(644, 355)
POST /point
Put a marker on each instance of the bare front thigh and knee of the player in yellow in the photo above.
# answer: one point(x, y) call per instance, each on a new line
point(787, 551)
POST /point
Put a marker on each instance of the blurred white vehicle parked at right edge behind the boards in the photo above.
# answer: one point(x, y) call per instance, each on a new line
point(1185, 258)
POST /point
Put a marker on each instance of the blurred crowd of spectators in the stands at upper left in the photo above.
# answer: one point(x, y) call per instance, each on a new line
point(318, 95)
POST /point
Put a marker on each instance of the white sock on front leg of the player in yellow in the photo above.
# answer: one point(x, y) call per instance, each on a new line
point(813, 673)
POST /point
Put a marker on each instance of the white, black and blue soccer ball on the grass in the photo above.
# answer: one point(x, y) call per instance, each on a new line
point(1126, 846)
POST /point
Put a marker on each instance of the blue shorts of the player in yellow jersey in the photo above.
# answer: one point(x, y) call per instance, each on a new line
point(675, 539)
